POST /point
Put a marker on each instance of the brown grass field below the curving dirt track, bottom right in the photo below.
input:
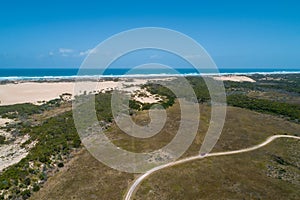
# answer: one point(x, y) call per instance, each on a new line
point(241, 176)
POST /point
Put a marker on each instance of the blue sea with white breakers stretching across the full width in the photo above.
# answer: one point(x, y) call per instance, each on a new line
point(48, 73)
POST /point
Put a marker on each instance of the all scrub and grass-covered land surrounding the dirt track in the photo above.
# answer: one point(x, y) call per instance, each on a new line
point(59, 167)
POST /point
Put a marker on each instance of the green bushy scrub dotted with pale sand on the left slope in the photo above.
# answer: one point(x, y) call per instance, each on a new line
point(56, 140)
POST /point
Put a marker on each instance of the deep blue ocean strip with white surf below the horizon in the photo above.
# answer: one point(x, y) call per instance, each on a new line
point(69, 74)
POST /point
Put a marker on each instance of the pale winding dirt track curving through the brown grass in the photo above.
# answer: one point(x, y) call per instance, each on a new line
point(138, 181)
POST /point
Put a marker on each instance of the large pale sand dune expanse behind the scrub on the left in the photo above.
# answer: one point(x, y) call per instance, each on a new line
point(34, 92)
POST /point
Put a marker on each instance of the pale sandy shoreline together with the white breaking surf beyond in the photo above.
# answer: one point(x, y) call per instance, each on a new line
point(36, 89)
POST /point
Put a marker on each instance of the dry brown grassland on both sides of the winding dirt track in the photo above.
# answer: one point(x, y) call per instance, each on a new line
point(216, 178)
